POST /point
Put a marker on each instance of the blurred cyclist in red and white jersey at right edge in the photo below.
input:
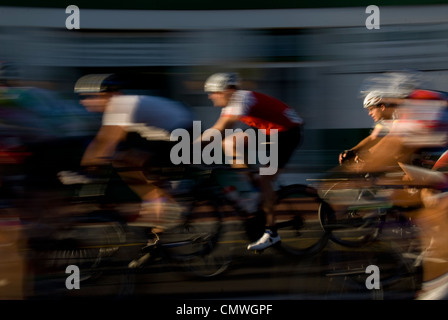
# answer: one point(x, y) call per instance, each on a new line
point(421, 123)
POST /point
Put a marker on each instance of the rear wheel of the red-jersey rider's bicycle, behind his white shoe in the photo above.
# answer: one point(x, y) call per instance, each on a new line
point(296, 213)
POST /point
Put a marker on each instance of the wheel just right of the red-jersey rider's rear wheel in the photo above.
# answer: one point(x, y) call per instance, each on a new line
point(354, 217)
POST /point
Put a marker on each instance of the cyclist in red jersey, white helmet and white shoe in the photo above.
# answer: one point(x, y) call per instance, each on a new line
point(258, 111)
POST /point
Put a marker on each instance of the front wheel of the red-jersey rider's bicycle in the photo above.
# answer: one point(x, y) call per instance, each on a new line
point(198, 243)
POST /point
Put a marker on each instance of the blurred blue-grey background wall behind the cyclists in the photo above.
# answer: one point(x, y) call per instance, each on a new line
point(313, 57)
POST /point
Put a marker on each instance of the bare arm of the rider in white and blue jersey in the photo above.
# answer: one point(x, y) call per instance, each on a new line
point(102, 148)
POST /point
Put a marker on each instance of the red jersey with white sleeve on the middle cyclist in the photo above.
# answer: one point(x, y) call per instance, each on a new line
point(261, 111)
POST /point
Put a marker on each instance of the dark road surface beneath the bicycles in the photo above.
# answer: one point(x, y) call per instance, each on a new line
point(336, 273)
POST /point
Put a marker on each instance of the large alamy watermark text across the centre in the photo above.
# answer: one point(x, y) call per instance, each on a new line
point(241, 142)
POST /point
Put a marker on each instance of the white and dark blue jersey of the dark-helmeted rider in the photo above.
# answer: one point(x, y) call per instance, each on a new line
point(152, 117)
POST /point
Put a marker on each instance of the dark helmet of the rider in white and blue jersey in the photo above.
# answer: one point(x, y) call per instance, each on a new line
point(95, 83)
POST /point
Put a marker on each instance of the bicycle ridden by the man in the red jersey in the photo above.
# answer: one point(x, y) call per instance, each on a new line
point(296, 212)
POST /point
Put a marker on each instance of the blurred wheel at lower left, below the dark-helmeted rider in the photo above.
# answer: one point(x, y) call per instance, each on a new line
point(92, 245)
